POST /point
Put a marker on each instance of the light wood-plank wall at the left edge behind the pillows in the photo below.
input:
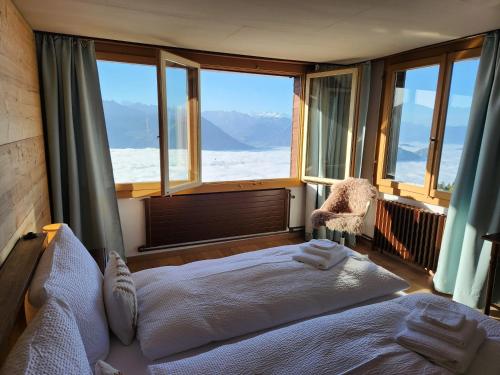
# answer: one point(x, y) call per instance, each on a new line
point(24, 198)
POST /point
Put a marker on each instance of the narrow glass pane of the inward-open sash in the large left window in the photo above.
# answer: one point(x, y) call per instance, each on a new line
point(178, 120)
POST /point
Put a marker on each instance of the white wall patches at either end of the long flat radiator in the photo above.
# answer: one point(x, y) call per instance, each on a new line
point(134, 226)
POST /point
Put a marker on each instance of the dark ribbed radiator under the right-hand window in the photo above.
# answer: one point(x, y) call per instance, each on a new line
point(411, 233)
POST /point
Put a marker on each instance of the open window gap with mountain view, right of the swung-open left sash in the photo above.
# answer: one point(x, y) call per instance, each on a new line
point(246, 124)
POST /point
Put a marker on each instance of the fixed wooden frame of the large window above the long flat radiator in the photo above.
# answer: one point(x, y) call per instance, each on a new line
point(148, 55)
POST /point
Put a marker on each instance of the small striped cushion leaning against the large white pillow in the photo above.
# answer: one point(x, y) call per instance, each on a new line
point(120, 299)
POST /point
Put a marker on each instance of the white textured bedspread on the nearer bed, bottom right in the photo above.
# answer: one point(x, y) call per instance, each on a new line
point(359, 341)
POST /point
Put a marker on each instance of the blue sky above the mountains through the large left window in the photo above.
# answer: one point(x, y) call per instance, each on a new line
point(227, 91)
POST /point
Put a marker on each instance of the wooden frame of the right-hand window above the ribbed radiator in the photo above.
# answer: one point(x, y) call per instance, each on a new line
point(444, 57)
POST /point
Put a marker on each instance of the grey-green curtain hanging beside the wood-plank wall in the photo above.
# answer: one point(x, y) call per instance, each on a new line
point(82, 188)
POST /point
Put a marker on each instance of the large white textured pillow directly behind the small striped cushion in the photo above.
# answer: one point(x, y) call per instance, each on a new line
point(67, 271)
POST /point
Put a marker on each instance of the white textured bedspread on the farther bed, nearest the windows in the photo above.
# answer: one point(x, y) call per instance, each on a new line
point(188, 306)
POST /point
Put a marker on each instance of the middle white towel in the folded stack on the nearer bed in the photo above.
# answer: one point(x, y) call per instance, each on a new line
point(460, 338)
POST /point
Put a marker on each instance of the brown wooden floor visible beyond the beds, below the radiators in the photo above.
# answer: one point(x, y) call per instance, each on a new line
point(420, 281)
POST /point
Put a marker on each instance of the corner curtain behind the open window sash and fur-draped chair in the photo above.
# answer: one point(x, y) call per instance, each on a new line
point(327, 140)
